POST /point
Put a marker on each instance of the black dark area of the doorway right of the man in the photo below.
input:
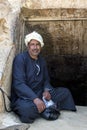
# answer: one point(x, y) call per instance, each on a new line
point(69, 71)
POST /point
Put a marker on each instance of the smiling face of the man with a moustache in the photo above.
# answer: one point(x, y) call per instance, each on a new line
point(34, 48)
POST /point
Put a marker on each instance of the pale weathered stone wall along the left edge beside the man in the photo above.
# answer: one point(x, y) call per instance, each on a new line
point(9, 12)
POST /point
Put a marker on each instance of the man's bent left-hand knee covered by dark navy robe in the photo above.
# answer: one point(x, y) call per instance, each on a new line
point(26, 111)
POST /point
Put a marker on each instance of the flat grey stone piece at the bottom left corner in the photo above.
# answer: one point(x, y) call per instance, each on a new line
point(21, 126)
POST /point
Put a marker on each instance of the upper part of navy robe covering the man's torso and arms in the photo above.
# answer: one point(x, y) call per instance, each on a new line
point(28, 81)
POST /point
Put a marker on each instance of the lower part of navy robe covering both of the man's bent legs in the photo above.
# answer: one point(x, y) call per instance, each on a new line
point(27, 111)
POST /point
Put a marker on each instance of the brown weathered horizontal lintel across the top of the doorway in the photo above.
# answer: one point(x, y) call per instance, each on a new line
point(53, 14)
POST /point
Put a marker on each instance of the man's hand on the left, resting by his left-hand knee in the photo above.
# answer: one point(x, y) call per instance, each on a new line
point(40, 104)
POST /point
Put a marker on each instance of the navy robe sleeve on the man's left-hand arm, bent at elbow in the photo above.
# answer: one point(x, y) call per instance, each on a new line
point(19, 80)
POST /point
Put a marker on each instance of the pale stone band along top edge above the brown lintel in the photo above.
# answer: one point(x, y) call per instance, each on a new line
point(41, 4)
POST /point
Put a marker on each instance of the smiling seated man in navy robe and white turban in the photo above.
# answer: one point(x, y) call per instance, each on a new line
point(31, 82)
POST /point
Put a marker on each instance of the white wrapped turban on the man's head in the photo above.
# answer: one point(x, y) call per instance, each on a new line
point(34, 35)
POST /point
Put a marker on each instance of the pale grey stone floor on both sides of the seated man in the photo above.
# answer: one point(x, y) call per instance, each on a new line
point(67, 120)
